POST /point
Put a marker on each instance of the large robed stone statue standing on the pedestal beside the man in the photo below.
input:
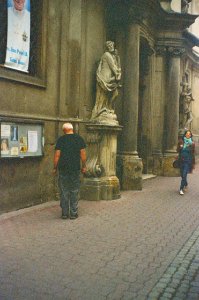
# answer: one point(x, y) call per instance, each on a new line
point(108, 81)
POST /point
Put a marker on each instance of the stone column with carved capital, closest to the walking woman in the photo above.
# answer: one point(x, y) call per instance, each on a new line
point(172, 109)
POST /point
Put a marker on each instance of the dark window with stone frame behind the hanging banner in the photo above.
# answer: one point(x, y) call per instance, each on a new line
point(36, 71)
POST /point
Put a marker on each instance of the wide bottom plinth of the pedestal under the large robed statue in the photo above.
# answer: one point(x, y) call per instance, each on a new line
point(104, 188)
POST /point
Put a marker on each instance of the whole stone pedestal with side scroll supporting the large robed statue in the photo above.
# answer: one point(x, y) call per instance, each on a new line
point(101, 182)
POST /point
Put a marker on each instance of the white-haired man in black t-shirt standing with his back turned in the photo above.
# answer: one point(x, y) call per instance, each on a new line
point(69, 151)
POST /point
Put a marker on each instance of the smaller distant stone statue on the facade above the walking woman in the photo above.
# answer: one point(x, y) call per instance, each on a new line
point(185, 104)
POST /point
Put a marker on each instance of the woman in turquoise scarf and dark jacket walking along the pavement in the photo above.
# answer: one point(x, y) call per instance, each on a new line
point(186, 150)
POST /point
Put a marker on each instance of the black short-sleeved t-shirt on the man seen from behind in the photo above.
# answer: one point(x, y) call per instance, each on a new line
point(70, 146)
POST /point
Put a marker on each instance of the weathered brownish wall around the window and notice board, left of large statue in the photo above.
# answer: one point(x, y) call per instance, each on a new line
point(71, 51)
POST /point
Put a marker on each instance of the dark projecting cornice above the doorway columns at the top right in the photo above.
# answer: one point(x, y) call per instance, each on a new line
point(123, 12)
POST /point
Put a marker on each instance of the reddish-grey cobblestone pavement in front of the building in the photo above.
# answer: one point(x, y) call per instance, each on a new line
point(142, 246)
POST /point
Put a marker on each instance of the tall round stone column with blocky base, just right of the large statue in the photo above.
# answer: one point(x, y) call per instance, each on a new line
point(129, 162)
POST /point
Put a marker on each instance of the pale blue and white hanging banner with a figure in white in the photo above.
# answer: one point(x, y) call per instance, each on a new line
point(18, 35)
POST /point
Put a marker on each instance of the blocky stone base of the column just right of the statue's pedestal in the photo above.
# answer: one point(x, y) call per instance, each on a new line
point(129, 169)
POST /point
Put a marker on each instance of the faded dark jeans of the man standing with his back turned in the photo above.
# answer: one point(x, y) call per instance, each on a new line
point(69, 185)
